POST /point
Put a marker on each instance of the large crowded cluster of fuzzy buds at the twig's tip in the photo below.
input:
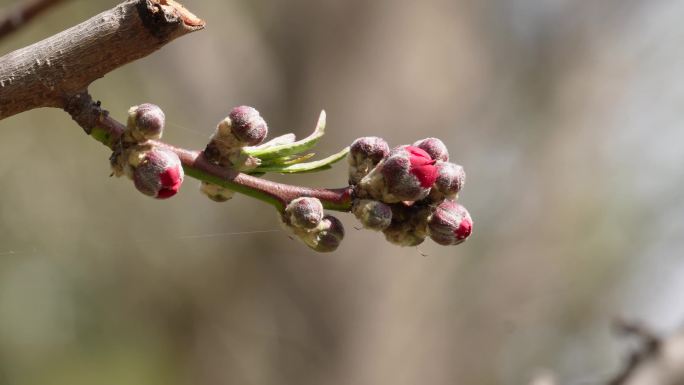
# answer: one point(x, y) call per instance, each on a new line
point(408, 192)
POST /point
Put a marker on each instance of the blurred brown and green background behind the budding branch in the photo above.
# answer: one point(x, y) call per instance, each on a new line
point(567, 116)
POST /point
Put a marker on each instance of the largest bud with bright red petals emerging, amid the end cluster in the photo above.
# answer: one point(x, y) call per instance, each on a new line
point(407, 174)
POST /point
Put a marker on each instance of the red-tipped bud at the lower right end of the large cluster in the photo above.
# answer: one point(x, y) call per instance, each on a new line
point(450, 224)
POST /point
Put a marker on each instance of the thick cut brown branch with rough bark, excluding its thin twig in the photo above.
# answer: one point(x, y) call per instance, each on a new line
point(50, 72)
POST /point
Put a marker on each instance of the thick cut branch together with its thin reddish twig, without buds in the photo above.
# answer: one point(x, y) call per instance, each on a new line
point(57, 71)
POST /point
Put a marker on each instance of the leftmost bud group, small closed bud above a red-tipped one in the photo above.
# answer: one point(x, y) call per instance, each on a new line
point(155, 171)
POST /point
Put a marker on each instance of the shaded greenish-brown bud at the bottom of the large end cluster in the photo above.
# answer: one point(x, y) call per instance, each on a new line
point(409, 225)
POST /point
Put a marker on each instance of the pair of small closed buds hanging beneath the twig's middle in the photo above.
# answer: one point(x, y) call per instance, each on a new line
point(305, 218)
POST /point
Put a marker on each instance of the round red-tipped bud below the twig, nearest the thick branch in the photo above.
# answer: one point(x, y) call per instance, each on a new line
point(159, 174)
